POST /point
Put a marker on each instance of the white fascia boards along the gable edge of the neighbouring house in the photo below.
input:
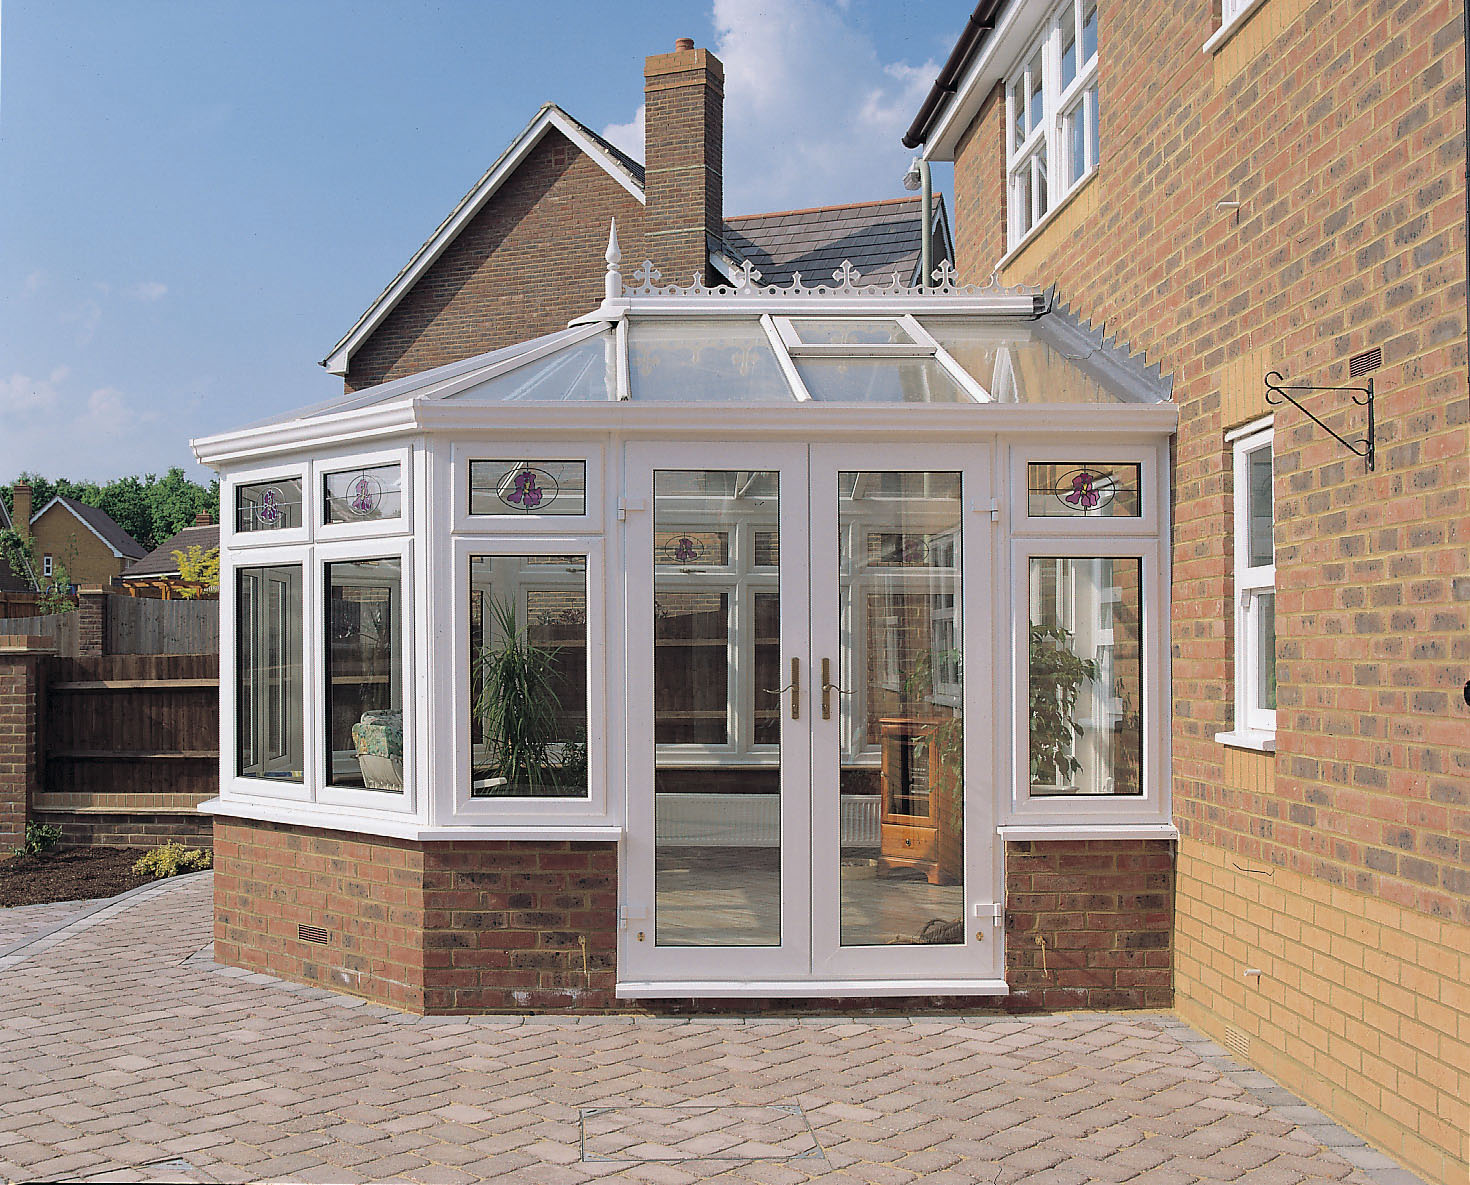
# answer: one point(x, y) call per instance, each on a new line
point(471, 205)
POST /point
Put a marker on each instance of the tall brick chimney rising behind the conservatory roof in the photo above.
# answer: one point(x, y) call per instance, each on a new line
point(684, 160)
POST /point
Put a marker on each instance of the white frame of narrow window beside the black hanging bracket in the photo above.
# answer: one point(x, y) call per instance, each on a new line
point(1255, 726)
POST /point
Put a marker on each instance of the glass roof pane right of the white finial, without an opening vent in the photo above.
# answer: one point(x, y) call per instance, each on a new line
point(703, 361)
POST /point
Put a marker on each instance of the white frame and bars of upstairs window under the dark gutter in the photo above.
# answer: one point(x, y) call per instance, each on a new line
point(1043, 154)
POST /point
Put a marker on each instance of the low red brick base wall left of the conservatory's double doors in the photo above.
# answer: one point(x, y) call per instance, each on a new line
point(439, 928)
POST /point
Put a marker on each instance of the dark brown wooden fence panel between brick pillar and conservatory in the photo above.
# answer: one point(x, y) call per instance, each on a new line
point(132, 746)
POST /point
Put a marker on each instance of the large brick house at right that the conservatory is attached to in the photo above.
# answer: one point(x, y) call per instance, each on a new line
point(1274, 196)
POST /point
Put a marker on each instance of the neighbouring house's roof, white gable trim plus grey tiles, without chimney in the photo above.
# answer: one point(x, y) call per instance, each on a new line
point(793, 239)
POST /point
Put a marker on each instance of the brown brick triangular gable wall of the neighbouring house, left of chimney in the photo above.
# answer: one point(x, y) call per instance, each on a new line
point(526, 265)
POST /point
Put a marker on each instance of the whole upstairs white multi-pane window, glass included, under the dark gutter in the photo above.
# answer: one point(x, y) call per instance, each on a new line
point(1052, 117)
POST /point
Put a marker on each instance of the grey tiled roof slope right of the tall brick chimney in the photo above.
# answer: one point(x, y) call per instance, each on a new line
point(878, 237)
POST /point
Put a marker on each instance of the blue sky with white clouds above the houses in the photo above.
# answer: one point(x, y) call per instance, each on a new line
point(199, 199)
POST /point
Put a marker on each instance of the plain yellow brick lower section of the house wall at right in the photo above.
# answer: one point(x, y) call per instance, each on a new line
point(1362, 1008)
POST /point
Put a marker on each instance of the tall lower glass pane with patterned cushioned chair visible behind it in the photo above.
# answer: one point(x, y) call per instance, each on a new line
point(365, 676)
